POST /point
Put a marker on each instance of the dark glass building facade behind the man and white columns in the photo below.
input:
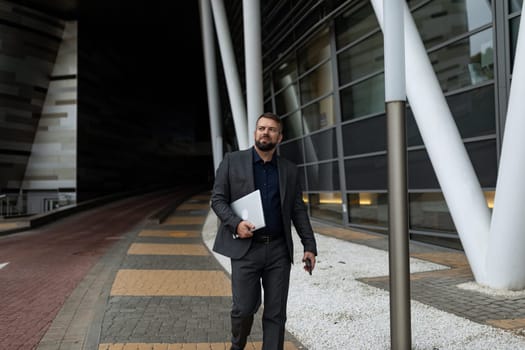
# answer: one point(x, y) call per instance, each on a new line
point(324, 75)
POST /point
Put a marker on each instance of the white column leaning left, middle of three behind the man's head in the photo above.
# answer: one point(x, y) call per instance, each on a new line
point(230, 72)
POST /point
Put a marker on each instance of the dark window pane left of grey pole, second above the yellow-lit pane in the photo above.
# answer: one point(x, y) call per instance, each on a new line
point(365, 136)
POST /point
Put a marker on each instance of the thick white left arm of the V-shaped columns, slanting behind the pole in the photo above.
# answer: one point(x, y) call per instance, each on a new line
point(445, 148)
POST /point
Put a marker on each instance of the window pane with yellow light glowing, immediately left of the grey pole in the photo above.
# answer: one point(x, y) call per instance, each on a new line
point(367, 208)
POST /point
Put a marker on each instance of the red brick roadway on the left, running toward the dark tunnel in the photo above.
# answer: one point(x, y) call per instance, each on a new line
point(46, 264)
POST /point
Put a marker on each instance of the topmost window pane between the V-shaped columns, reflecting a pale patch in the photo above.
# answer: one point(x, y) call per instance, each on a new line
point(442, 20)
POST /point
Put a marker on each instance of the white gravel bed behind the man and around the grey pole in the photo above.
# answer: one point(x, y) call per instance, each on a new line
point(332, 310)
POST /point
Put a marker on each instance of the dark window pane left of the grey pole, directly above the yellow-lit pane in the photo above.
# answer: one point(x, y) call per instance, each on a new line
point(369, 173)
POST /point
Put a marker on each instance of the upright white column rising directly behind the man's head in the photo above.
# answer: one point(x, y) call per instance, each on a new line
point(253, 57)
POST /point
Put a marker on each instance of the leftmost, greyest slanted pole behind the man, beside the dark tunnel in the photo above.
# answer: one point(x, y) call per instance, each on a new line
point(211, 81)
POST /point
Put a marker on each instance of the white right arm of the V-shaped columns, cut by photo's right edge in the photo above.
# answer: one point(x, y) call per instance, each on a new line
point(506, 252)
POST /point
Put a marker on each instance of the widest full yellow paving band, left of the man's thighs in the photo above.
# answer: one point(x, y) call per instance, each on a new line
point(171, 283)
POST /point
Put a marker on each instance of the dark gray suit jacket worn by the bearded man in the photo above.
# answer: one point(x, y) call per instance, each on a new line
point(233, 180)
